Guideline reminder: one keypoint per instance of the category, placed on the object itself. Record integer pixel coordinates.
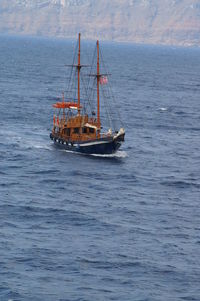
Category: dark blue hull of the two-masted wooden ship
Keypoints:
(107, 145)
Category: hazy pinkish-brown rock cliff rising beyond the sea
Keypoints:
(175, 22)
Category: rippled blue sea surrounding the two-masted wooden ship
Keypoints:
(124, 227)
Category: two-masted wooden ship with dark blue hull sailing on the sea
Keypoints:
(74, 129)
